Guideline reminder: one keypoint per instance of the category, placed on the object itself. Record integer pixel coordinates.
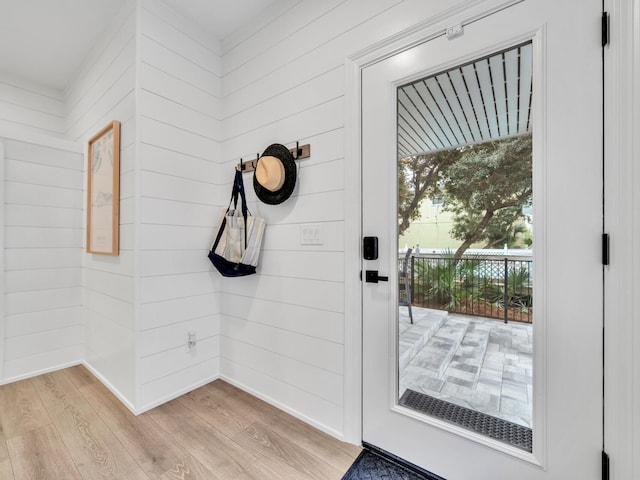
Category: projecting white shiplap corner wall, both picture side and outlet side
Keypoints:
(158, 75)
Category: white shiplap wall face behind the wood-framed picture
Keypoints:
(102, 91)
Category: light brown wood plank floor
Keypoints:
(67, 425)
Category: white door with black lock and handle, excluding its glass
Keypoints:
(566, 128)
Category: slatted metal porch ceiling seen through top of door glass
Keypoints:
(484, 100)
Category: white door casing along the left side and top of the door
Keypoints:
(433, 27)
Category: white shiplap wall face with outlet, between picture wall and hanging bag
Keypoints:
(179, 111)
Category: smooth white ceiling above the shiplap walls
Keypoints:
(45, 41)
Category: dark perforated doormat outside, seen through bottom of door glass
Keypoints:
(496, 428)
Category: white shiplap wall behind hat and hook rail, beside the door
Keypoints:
(283, 81)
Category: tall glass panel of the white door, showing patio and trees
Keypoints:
(465, 231)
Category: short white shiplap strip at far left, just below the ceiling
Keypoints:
(27, 107)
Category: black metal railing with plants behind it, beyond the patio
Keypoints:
(490, 286)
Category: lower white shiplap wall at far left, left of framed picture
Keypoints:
(42, 278)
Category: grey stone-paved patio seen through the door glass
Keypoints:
(474, 362)
